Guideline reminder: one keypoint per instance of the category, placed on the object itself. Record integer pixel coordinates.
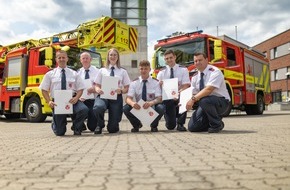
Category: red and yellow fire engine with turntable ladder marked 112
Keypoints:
(23, 64)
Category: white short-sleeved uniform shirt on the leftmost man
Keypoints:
(52, 81)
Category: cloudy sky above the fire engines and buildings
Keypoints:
(249, 21)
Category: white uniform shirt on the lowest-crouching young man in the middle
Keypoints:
(152, 88)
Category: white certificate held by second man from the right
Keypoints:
(170, 89)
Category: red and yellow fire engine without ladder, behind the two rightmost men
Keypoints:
(246, 71)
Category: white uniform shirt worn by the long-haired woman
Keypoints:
(121, 73)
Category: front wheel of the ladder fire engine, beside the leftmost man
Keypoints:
(33, 110)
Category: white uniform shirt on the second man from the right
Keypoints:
(179, 72)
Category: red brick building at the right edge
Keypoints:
(277, 49)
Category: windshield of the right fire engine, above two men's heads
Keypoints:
(184, 52)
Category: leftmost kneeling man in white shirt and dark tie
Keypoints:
(53, 81)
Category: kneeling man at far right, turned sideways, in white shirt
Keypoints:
(211, 95)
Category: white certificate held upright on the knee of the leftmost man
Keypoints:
(61, 99)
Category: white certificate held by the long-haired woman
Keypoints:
(109, 87)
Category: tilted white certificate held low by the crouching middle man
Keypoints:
(146, 116)
